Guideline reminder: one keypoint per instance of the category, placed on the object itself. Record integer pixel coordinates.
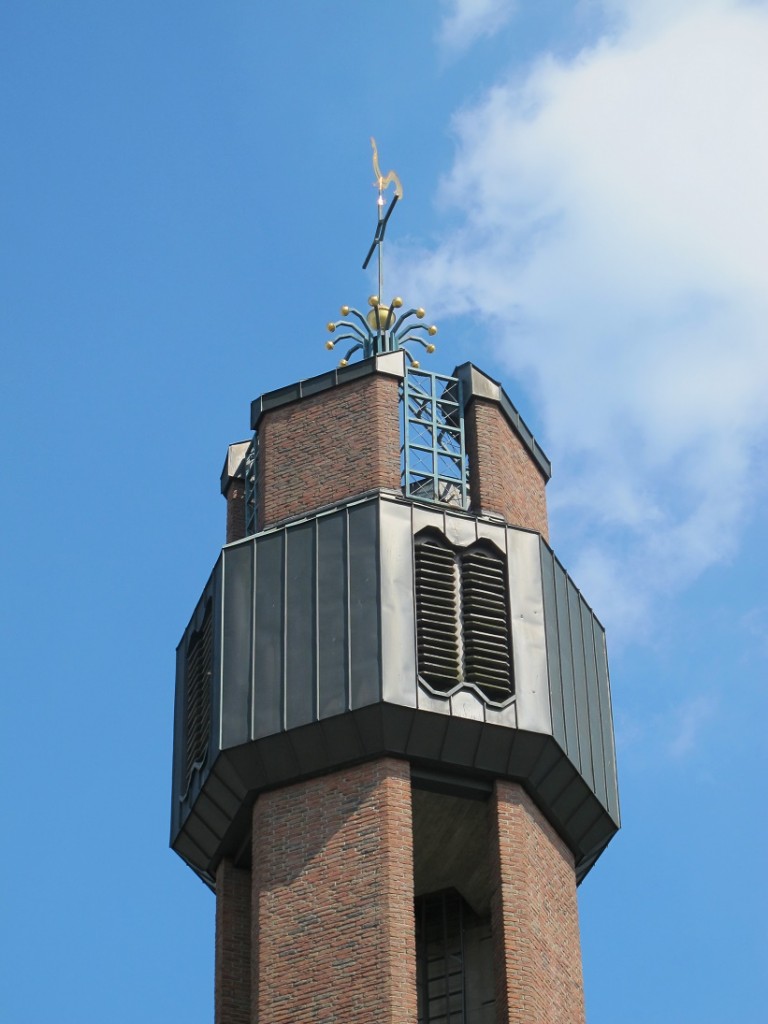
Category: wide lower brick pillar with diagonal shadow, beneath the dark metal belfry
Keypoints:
(334, 900)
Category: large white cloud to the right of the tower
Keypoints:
(615, 238)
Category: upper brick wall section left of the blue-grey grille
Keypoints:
(329, 447)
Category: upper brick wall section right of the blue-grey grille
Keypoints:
(504, 478)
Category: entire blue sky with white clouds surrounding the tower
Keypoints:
(186, 199)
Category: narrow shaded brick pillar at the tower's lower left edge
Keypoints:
(233, 971)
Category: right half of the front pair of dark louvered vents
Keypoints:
(488, 648)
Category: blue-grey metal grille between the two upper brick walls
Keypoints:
(435, 460)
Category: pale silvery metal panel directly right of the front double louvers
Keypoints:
(529, 641)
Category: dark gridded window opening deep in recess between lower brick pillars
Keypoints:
(440, 946)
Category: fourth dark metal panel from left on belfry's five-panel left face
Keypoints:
(332, 615)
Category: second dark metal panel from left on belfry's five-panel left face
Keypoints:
(269, 636)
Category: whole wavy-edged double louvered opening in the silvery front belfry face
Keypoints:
(462, 617)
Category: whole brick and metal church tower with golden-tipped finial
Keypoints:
(394, 747)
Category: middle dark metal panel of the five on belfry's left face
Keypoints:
(301, 625)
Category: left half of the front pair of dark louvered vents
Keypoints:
(437, 615)
